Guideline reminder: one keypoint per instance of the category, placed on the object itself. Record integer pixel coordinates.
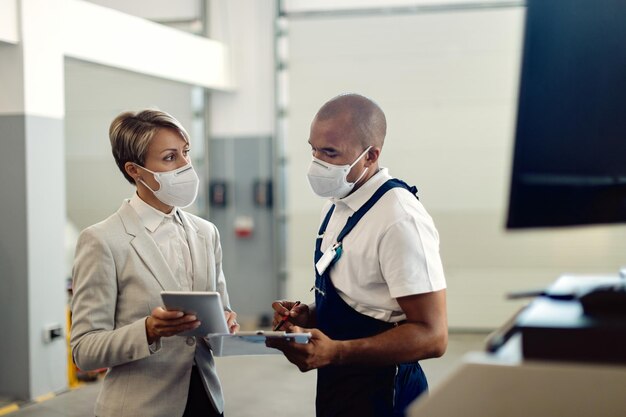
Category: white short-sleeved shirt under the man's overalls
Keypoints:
(392, 252)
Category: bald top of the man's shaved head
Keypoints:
(359, 115)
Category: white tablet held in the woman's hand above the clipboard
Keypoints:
(207, 306)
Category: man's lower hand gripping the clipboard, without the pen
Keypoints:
(320, 351)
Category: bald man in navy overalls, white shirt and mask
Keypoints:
(380, 301)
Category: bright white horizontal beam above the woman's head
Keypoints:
(108, 37)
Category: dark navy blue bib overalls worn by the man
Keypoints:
(357, 390)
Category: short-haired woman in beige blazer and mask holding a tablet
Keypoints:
(124, 262)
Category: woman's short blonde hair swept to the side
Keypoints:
(130, 134)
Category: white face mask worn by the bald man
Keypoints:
(328, 180)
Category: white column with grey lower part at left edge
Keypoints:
(32, 284)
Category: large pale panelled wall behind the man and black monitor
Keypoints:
(448, 83)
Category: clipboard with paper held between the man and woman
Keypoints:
(250, 342)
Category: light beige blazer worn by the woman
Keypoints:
(118, 276)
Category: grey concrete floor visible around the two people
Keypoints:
(257, 385)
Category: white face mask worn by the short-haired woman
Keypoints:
(177, 188)
